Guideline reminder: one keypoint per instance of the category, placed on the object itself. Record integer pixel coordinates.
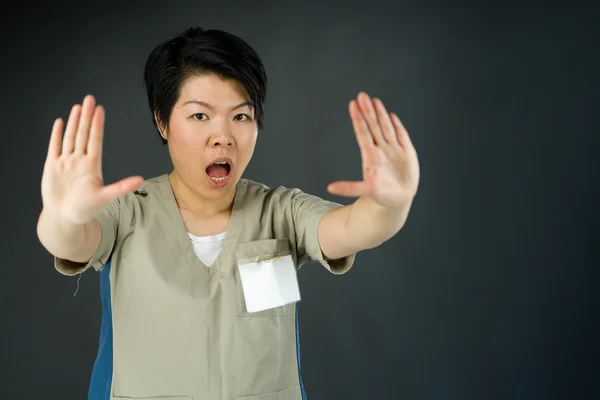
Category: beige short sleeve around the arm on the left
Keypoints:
(109, 222)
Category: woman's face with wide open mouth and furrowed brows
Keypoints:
(211, 135)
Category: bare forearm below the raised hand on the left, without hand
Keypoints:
(68, 241)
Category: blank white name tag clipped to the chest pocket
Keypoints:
(269, 283)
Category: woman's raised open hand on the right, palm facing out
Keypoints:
(389, 161)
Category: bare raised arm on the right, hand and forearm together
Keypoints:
(385, 196)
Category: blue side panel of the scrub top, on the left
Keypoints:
(101, 379)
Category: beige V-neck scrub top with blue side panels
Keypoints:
(173, 328)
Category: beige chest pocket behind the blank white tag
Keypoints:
(261, 249)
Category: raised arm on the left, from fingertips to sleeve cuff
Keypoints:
(80, 214)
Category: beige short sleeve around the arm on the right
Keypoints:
(308, 211)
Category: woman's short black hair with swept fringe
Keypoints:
(198, 51)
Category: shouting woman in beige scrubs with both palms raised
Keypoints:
(198, 267)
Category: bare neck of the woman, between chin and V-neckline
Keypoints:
(189, 199)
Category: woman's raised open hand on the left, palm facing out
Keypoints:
(73, 190)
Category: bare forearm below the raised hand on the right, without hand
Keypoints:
(359, 226)
